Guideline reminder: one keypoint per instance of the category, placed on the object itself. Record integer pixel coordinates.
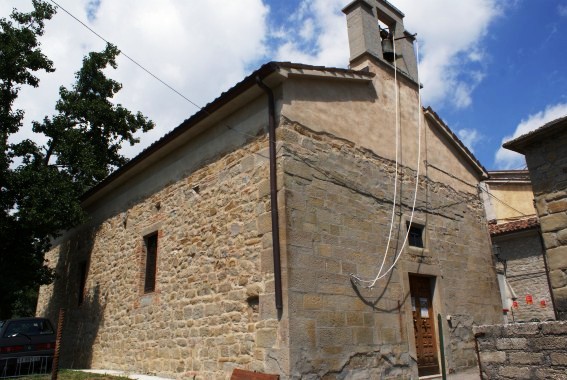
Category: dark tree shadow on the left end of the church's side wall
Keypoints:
(84, 306)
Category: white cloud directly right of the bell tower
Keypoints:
(450, 34)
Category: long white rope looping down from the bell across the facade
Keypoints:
(381, 275)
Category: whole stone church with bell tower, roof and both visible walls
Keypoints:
(311, 222)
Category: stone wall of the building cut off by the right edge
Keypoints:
(547, 163)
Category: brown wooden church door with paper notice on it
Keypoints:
(424, 325)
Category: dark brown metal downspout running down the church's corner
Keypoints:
(273, 193)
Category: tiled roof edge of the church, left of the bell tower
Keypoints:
(226, 97)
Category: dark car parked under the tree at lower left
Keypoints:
(27, 346)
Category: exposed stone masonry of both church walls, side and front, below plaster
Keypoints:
(213, 307)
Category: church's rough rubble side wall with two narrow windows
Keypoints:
(212, 309)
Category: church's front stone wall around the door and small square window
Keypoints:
(338, 210)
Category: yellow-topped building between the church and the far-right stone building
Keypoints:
(517, 246)
